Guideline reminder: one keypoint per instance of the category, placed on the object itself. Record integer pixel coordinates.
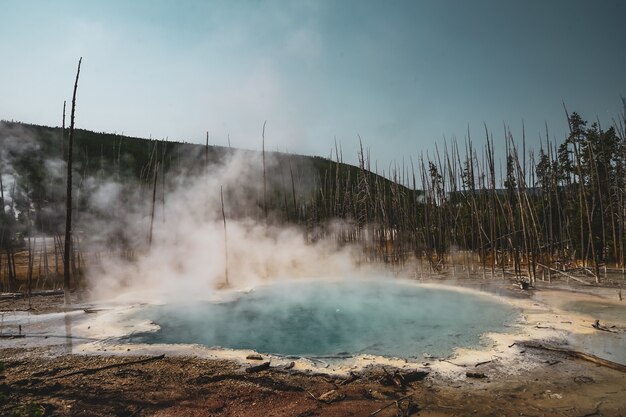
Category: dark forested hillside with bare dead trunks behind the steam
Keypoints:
(550, 211)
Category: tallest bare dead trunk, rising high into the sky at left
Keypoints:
(68, 212)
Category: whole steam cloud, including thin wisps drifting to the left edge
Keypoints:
(164, 234)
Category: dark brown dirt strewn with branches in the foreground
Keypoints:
(41, 380)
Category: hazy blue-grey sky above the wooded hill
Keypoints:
(404, 76)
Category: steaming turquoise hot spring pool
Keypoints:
(380, 317)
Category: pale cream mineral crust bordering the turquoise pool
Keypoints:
(542, 318)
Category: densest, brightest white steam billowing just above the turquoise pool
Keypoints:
(187, 255)
